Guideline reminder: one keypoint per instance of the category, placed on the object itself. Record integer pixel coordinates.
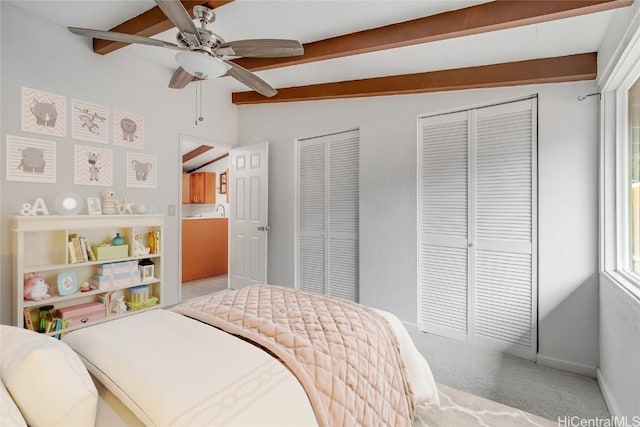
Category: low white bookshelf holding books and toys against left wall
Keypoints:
(39, 245)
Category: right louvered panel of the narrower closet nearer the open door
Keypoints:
(343, 215)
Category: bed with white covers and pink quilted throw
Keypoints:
(243, 357)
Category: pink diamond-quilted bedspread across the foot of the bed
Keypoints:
(345, 356)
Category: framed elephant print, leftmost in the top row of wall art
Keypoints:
(43, 112)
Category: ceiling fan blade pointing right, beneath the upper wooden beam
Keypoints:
(262, 48)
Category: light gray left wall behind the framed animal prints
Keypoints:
(45, 56)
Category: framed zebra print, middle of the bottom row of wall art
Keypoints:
(93, 166)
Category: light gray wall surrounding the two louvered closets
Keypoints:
(568, 137)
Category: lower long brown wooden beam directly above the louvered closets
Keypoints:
(547, 70)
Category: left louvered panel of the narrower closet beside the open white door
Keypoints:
(310, 253)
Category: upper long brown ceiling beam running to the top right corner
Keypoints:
(491, 16)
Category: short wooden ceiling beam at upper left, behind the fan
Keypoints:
(149, 24)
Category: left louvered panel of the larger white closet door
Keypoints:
(442, 224)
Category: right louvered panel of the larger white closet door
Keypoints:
(505, 256)
